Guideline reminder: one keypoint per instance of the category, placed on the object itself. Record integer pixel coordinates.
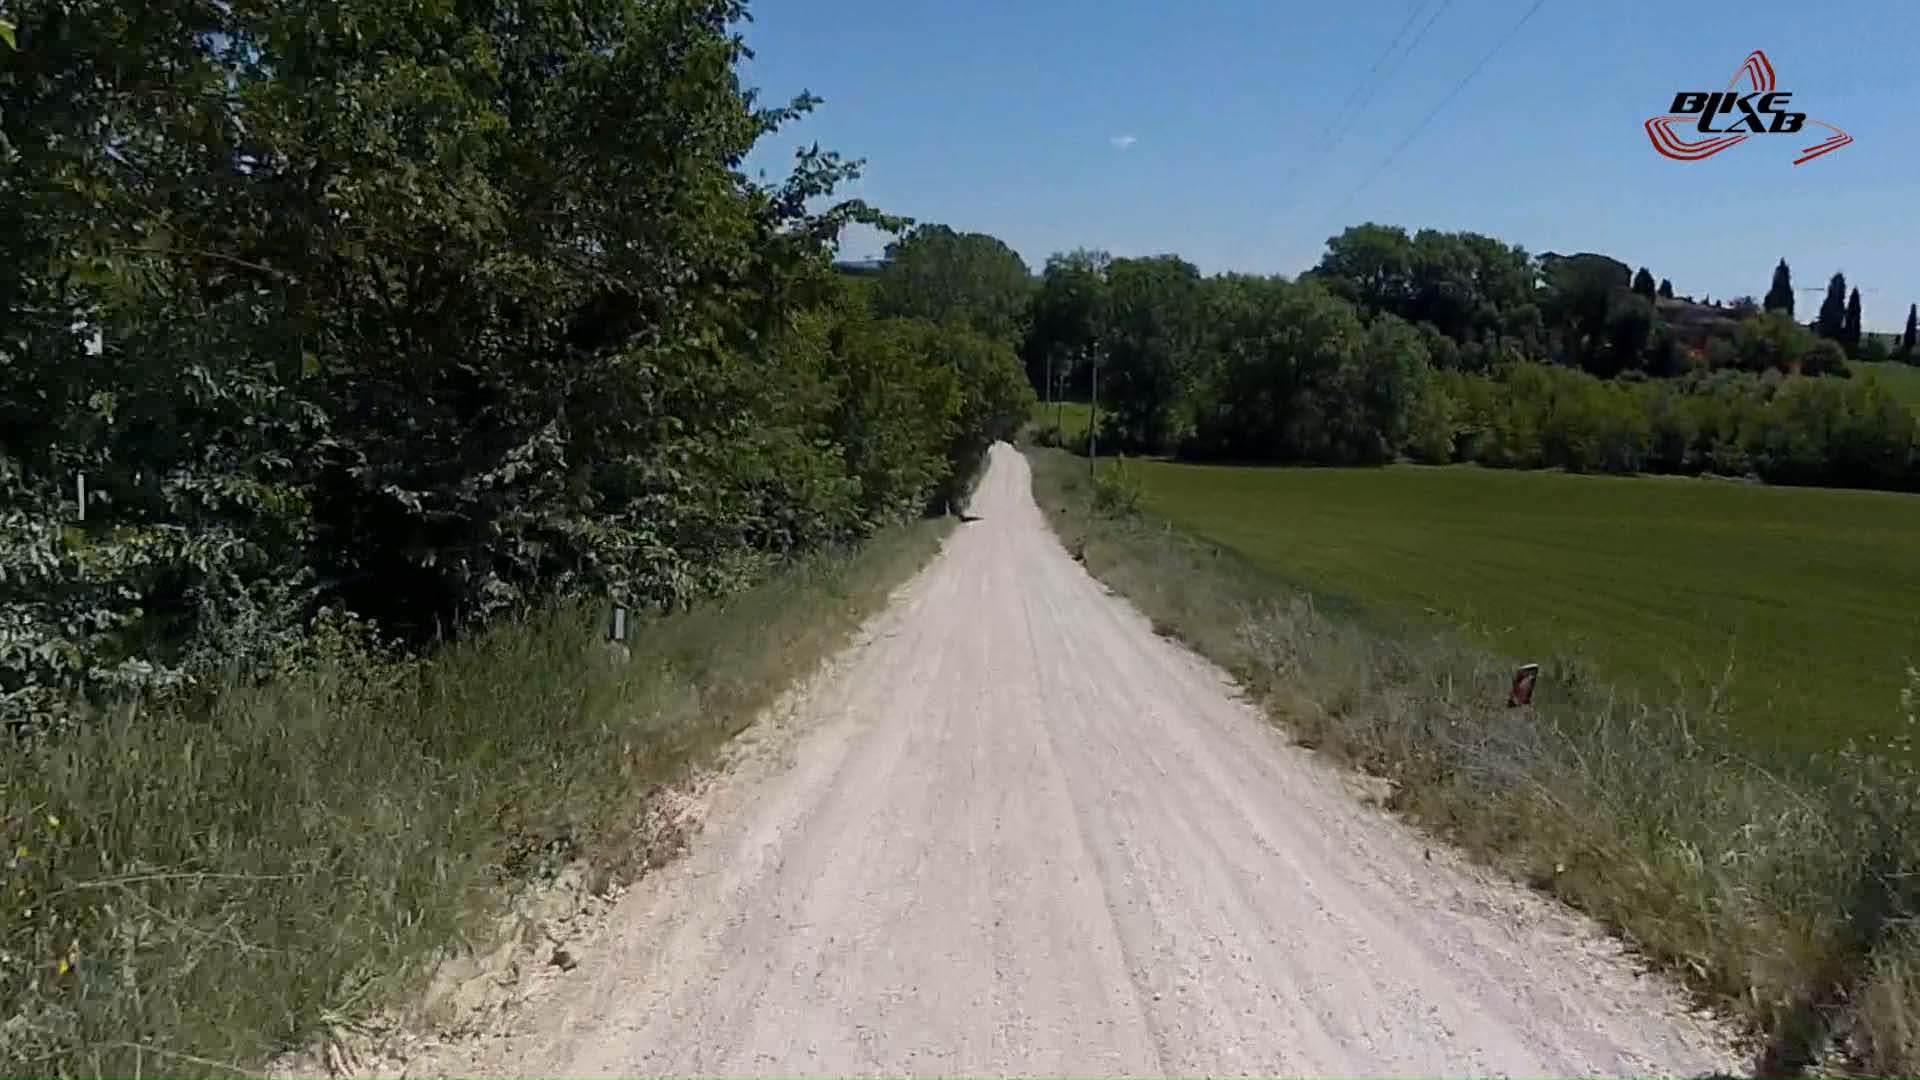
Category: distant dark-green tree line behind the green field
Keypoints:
(1452, 347)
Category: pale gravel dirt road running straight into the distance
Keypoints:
(1013, 831)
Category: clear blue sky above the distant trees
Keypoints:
(1197, 128)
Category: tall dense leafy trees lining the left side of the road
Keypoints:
(406, 316)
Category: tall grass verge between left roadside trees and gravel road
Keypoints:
(193, 891)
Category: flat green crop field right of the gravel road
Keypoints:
(1813, 597)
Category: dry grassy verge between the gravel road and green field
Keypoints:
(1785, 896)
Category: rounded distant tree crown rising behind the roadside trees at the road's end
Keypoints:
(967, 280)
